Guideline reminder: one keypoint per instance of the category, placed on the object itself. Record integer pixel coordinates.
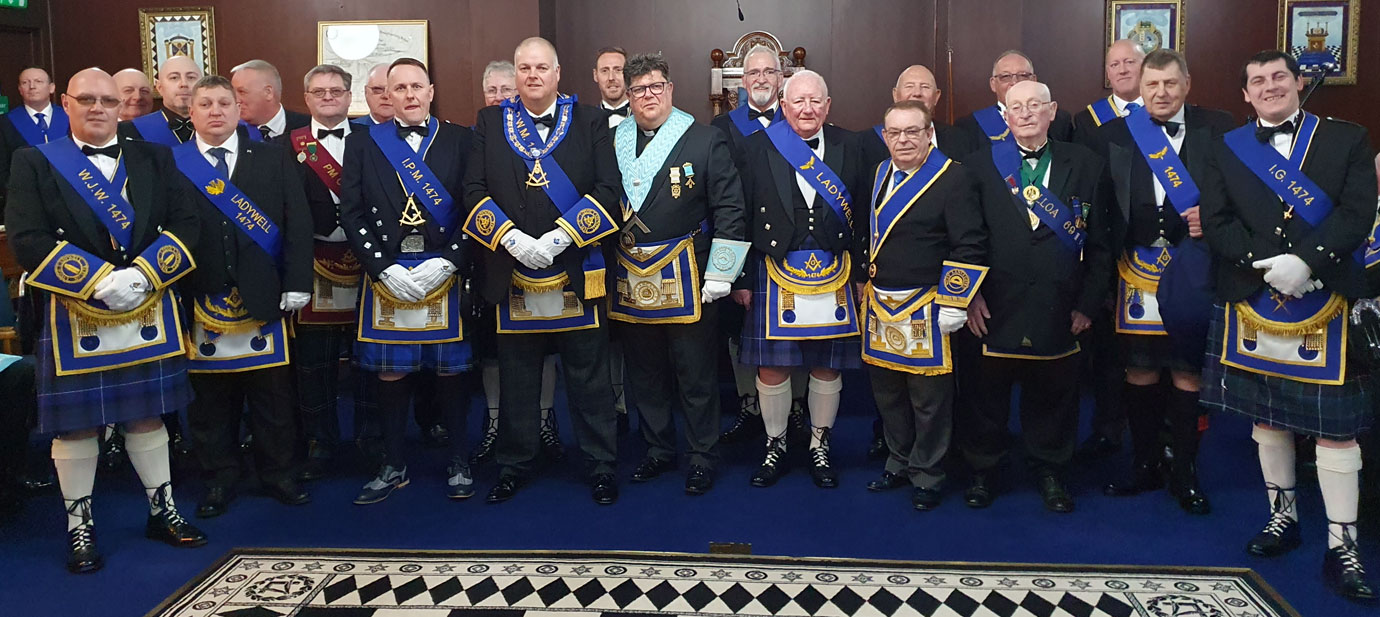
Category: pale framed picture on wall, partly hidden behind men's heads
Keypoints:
(362, 45)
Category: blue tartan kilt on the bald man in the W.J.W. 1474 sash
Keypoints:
(111, 397)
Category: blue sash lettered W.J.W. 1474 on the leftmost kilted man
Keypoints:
(101, 195)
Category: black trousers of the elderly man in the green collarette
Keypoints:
(1048, 412)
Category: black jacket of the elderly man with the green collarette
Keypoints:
(1036, 282)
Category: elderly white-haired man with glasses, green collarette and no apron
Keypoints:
(1043, 204)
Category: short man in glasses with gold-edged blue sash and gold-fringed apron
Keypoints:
(921, 242)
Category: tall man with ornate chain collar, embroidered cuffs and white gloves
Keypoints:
(542, 197)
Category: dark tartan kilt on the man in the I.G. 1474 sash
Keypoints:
(1328, 412)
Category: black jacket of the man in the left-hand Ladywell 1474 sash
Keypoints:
(228, 257)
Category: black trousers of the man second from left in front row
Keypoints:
(215, 419)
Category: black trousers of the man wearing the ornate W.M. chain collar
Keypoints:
(584, 357)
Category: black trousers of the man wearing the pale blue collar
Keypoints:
(676, 364)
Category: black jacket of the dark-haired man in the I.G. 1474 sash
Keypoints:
(1241, 215)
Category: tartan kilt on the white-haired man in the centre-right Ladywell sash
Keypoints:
(756, 350)
